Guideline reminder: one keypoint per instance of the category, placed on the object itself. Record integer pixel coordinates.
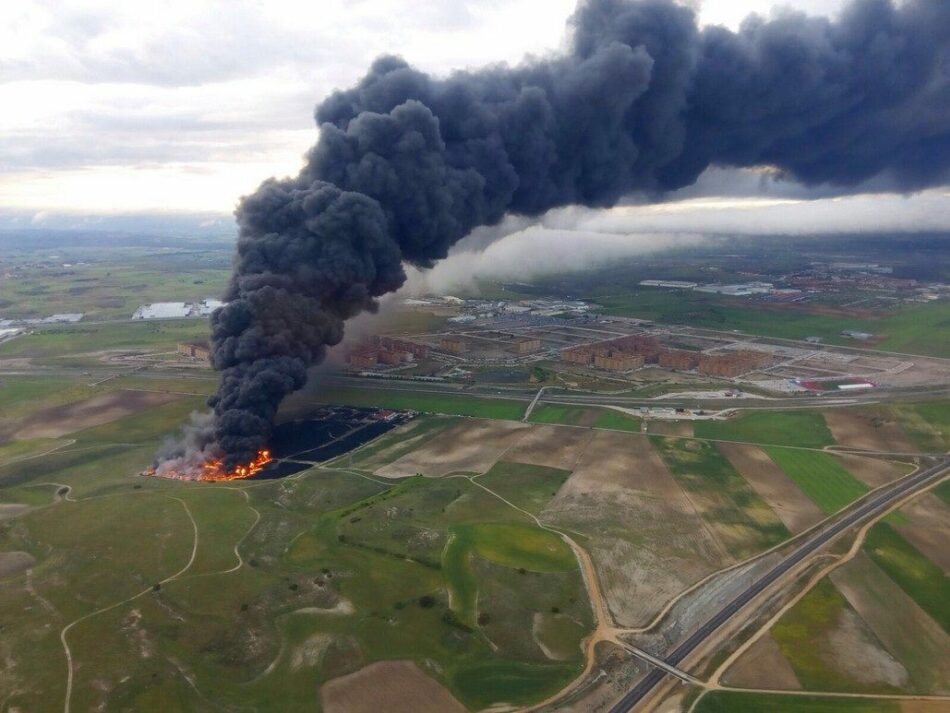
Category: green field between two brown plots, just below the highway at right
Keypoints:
(780, 428)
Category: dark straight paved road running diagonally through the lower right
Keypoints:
(875, 505)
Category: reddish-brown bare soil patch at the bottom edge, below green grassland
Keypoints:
(391, 686)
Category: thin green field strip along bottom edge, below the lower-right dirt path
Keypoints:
(733, 702)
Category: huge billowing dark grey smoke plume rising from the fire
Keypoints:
(642, 102)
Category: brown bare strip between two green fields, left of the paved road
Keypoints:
(795, 509)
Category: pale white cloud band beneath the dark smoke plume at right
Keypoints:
(576, 239)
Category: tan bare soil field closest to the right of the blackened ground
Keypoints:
(472, 446)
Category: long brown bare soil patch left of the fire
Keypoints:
(62, 420)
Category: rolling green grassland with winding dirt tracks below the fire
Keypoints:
(242, 626)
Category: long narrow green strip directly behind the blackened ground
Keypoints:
(450, 404)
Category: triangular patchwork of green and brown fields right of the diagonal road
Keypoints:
(875, 624)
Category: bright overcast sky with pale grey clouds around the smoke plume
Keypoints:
(180, 107)
